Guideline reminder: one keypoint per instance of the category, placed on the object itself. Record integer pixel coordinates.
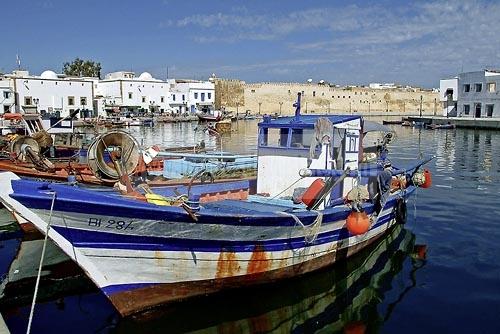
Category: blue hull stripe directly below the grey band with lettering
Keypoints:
(106, 240)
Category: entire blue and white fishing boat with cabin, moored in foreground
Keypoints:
(320, 201)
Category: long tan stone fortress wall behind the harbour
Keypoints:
(271, 98)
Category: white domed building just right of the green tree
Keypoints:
(123, 91)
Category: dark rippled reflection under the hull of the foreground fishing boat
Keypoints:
(344, 297)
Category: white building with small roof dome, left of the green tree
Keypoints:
(50, 93)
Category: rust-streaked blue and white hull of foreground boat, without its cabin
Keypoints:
(142, 262)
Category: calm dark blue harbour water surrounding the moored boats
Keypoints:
(387, 288)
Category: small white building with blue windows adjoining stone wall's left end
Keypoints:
(191, 96)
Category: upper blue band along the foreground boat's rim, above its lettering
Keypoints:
(228, 212)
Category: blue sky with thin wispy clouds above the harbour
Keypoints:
(352, 42)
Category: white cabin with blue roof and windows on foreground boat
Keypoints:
(288, 144)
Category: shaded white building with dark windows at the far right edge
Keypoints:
(478, 94)
